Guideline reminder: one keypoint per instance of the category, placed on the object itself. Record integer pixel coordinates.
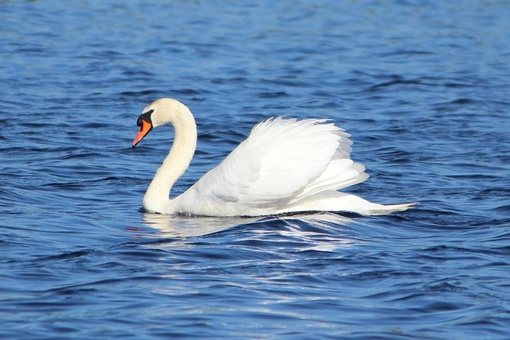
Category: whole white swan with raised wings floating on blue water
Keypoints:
(284, 166)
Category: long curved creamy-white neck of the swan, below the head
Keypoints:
(156, 198)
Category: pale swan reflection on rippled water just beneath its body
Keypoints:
(193, 226)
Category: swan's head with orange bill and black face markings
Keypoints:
(160, 112)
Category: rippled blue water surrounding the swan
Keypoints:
(423, 87)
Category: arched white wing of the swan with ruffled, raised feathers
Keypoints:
(280, 163)
